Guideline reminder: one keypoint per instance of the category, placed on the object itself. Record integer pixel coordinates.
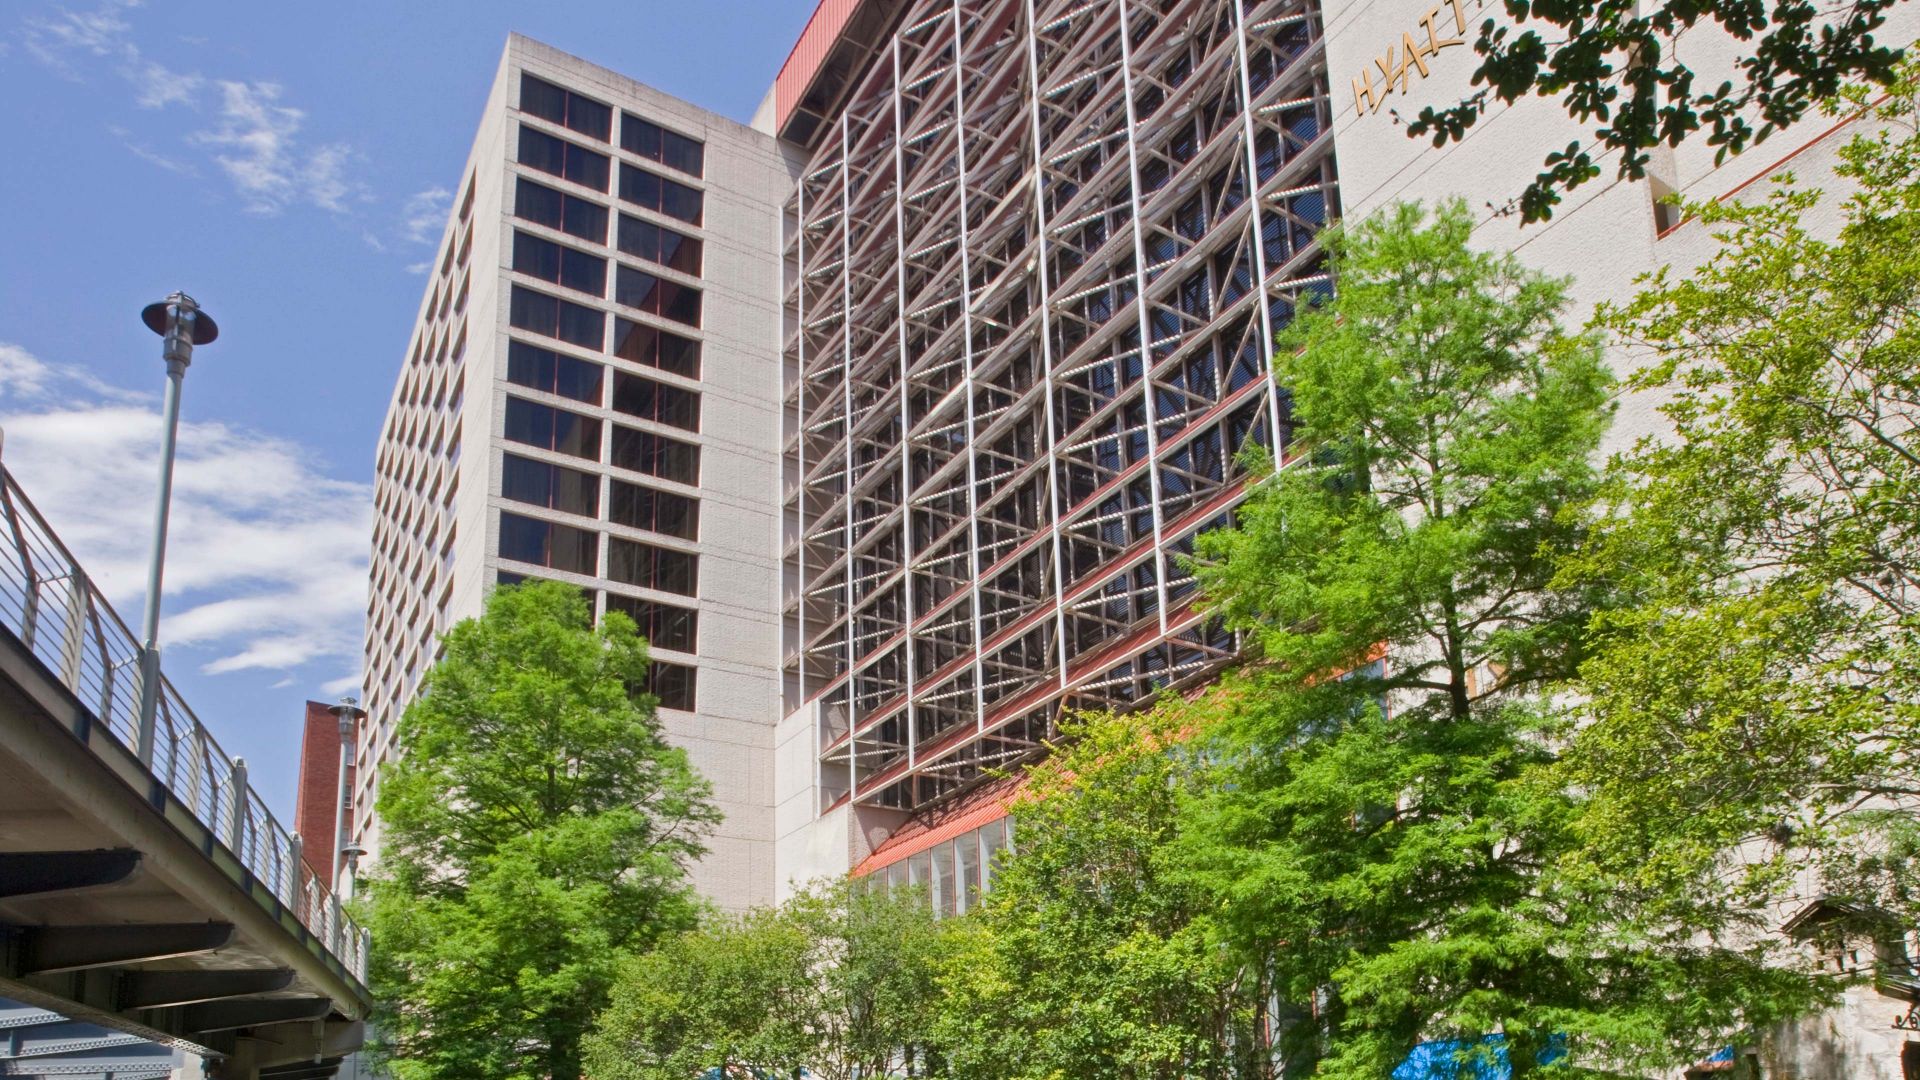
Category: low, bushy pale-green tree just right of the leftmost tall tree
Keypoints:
(838, 981)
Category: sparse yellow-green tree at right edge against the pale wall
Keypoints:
(1756, 710)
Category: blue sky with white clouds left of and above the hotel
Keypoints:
(287, 164)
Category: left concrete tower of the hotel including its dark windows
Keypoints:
(588, 397)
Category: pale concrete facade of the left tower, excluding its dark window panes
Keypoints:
(443, 485)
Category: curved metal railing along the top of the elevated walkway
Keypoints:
(59, 614)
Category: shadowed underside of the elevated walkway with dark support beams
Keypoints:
(126, 918)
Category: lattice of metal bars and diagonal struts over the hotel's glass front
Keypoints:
(1026, 347)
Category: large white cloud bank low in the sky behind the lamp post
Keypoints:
(266, 556)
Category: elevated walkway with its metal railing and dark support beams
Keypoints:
(145, 891)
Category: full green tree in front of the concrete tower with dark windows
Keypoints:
(537, 831)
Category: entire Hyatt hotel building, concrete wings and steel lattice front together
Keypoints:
(900, 462)
